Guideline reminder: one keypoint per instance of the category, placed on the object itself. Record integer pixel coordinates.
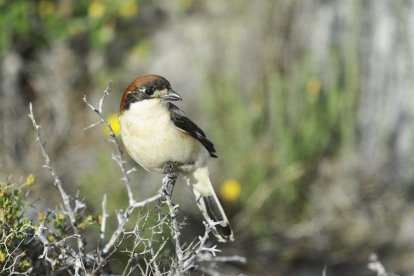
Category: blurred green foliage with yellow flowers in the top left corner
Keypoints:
(37, 24)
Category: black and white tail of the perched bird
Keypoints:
(209, 204)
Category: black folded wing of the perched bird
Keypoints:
(186, 125)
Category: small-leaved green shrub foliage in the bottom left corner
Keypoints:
(20, 248)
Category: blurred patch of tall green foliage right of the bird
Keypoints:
(273, 136)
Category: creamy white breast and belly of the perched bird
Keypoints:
(152, 139)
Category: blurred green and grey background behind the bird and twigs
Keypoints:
(309, 103)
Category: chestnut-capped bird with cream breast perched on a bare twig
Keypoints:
(155, 132)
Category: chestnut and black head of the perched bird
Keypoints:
(145, 88)
